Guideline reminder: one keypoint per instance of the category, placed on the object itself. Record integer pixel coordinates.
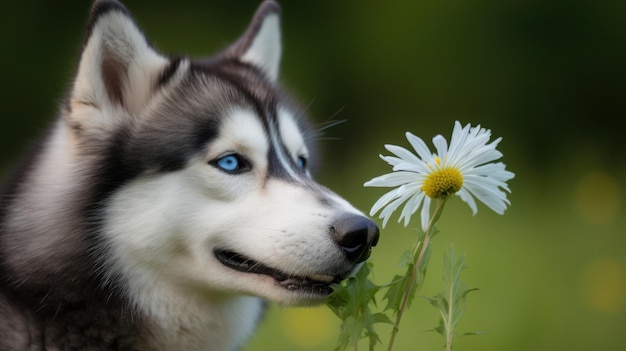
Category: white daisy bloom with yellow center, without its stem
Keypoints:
(464, 168)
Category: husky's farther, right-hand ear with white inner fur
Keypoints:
(261, 43)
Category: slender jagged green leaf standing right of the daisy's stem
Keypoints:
(450, 302)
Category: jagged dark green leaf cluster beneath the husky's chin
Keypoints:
(351, 302)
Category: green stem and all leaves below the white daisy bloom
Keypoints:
(352, 300)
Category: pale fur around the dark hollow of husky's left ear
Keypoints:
(114, 34)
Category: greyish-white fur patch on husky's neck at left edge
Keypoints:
(38, 209)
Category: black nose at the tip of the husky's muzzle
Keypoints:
(356, 235)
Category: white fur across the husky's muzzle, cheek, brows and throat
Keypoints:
(178, 219)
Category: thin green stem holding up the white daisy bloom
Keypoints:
(421, 246)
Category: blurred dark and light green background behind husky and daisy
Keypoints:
(549, 76)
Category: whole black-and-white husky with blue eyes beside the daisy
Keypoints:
(169, 201)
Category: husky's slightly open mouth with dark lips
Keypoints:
(317, 284)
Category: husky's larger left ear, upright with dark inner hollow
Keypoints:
(118, 68)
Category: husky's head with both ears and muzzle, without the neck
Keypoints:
(208, 187)
